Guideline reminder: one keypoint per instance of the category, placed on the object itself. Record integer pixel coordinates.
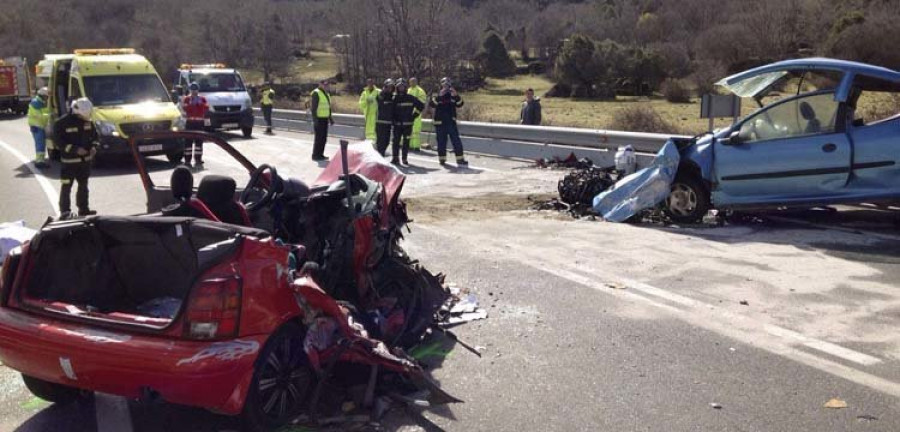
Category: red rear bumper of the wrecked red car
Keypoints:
(212, 375)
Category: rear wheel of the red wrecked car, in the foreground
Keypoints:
(283, 381)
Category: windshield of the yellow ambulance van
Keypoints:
(124, 89)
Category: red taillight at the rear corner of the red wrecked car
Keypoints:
(214, 309)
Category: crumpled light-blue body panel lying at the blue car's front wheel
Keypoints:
(641, 190)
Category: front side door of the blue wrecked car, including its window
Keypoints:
(793, 151)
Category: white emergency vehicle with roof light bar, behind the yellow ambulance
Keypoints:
(230, 107)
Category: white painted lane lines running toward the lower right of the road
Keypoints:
(780, 341)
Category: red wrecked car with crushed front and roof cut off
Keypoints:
(235, 300)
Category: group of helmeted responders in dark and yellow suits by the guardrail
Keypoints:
(394, 115)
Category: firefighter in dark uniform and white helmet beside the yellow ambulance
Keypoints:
(77, 140)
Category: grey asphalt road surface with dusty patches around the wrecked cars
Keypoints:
(592, 326)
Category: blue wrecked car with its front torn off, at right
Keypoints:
(807, 145)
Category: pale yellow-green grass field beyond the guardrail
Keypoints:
(501, 99)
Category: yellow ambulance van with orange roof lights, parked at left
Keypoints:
(128, 96)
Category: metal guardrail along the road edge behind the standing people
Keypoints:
(560, 136)
